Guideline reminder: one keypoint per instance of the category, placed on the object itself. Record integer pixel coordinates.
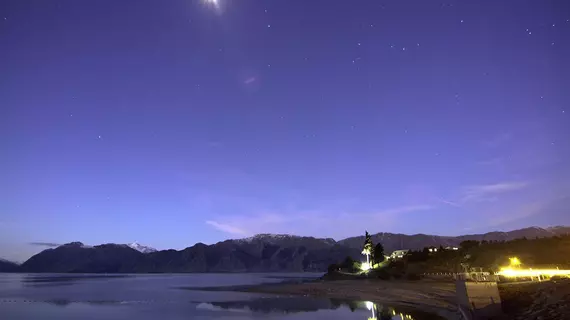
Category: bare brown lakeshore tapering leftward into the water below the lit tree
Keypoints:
(433, 297)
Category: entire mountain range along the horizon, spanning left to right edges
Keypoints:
(260, 253)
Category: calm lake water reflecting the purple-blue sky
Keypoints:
(146, 297)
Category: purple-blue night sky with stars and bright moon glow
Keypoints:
(176, 122)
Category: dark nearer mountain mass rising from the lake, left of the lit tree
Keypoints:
(262, 253)
